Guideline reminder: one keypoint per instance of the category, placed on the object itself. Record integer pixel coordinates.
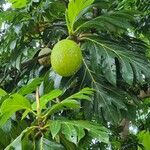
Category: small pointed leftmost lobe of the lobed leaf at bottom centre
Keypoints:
(55, 127)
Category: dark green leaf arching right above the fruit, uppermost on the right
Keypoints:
(108, 22)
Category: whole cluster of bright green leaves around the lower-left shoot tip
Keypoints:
(68, 131)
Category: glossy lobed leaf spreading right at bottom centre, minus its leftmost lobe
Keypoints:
(74, 131)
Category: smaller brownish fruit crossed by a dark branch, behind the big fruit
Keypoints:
(45, 61)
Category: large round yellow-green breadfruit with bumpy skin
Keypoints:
(66, 58)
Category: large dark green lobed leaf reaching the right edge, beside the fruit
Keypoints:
(133, 64)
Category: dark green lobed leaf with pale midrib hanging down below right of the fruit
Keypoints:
(109, 100)
